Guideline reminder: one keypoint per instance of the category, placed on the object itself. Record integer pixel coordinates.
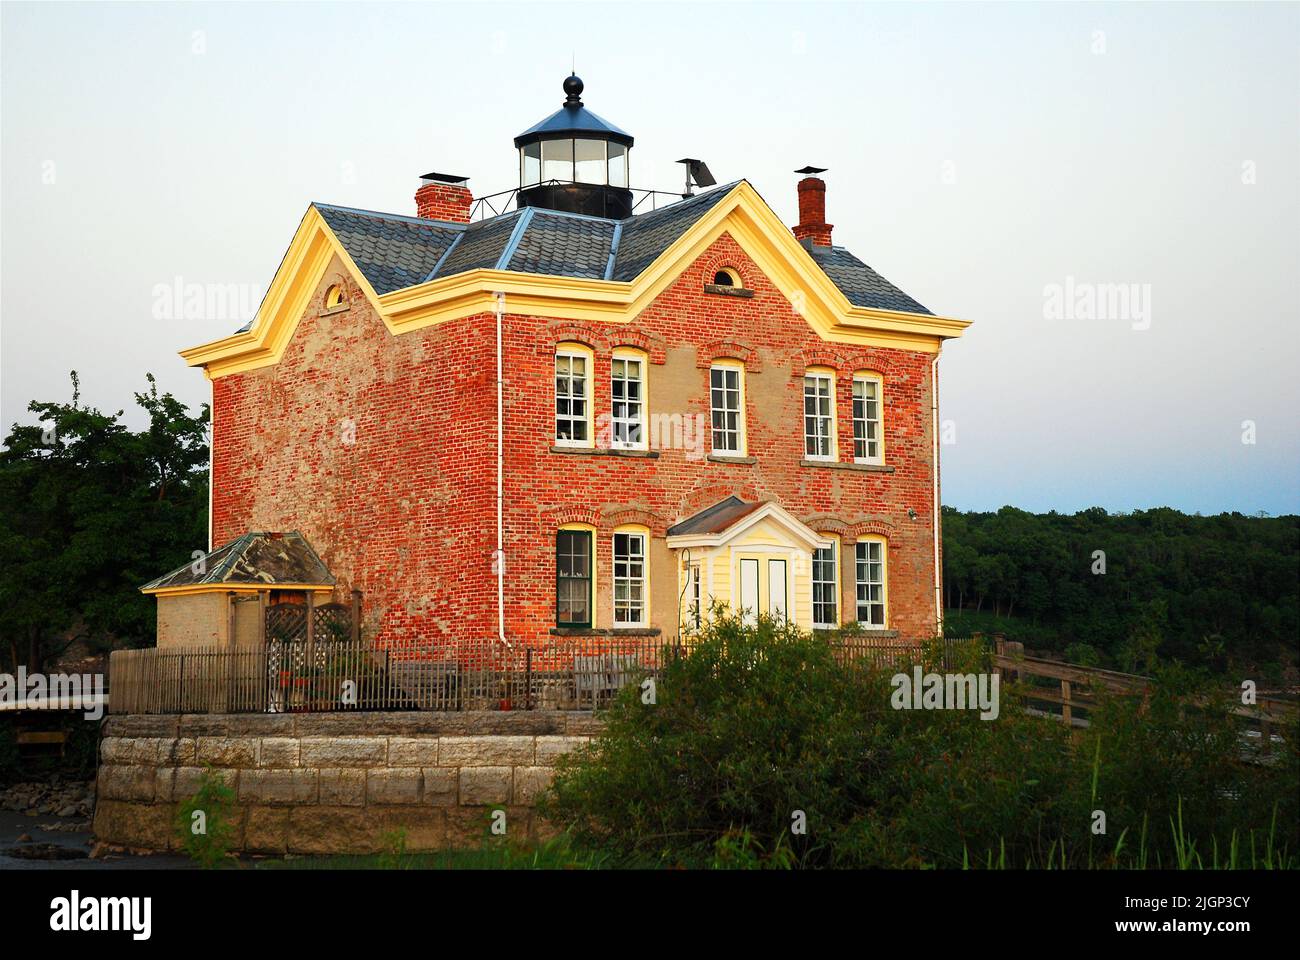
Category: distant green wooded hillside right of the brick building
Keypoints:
(1120, 590)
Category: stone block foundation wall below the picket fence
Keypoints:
(335, 784)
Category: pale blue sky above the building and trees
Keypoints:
(977, 154)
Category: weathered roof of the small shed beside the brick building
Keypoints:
(255, 559)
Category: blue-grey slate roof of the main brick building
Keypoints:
(396, 252)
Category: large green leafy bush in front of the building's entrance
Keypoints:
(760, 730)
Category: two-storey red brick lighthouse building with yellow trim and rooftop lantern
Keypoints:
(586, 417)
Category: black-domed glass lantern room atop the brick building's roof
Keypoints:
(575, 162)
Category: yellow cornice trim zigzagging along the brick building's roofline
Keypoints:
(743, 214)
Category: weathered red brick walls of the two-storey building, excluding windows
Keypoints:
(382, 451)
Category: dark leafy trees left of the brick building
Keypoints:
(89, 512)
